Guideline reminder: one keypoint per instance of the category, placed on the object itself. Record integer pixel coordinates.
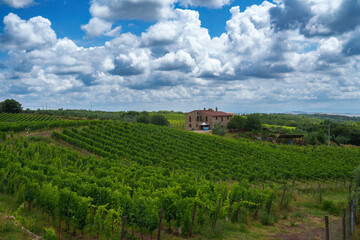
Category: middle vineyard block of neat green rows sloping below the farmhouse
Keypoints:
(212, 157)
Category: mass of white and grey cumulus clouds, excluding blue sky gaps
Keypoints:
(176, 60)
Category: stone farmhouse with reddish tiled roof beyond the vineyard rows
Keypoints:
(205, 119)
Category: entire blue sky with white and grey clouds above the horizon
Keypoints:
(237, 55)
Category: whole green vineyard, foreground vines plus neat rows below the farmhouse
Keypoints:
(137, 172)
